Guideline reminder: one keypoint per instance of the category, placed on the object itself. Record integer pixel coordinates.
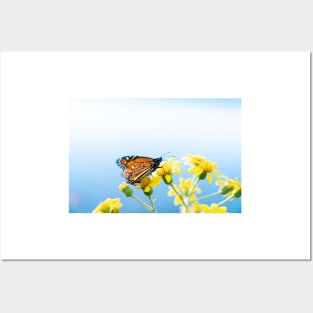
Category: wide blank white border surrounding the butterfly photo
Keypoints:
(274, 88)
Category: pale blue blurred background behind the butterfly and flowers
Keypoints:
(101, 131)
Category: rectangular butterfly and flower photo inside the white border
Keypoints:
(104, 132)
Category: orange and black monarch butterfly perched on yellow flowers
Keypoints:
(135, 168)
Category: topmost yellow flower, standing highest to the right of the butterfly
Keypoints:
(200, 166)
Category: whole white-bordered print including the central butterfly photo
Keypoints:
(154, 136)
